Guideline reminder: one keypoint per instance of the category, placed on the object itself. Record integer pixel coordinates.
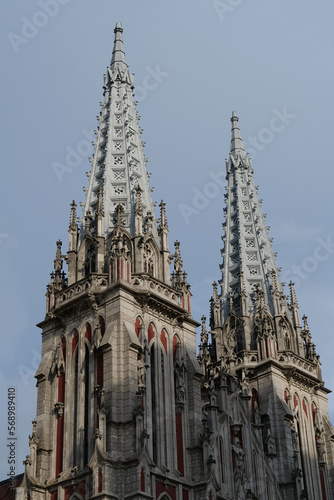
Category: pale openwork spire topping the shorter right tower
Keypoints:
(247, 247)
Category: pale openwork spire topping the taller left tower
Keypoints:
(118, 163)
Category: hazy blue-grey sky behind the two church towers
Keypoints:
(195, 61)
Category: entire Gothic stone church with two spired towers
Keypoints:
(128, 408)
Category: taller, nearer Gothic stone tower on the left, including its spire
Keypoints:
(119, 380)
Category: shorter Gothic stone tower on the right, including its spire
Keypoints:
(279, 420)
